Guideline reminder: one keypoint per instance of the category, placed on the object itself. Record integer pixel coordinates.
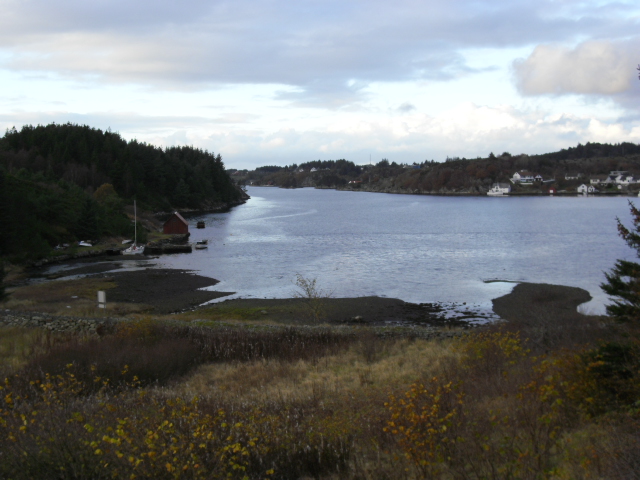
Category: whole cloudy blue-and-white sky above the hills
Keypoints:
(277, 82)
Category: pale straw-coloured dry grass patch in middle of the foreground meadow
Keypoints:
(367, 365)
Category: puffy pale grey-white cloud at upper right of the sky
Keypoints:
(593, 68)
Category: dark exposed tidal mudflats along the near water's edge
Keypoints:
(168, 291)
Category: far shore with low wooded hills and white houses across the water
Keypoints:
(592, 168)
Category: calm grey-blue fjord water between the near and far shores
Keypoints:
(416, 248)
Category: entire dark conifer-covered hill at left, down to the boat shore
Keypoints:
(63, 183)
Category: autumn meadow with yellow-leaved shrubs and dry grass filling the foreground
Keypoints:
(158, 400)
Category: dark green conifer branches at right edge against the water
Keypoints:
(623, 281)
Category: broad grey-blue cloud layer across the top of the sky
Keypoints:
(321, 47)
